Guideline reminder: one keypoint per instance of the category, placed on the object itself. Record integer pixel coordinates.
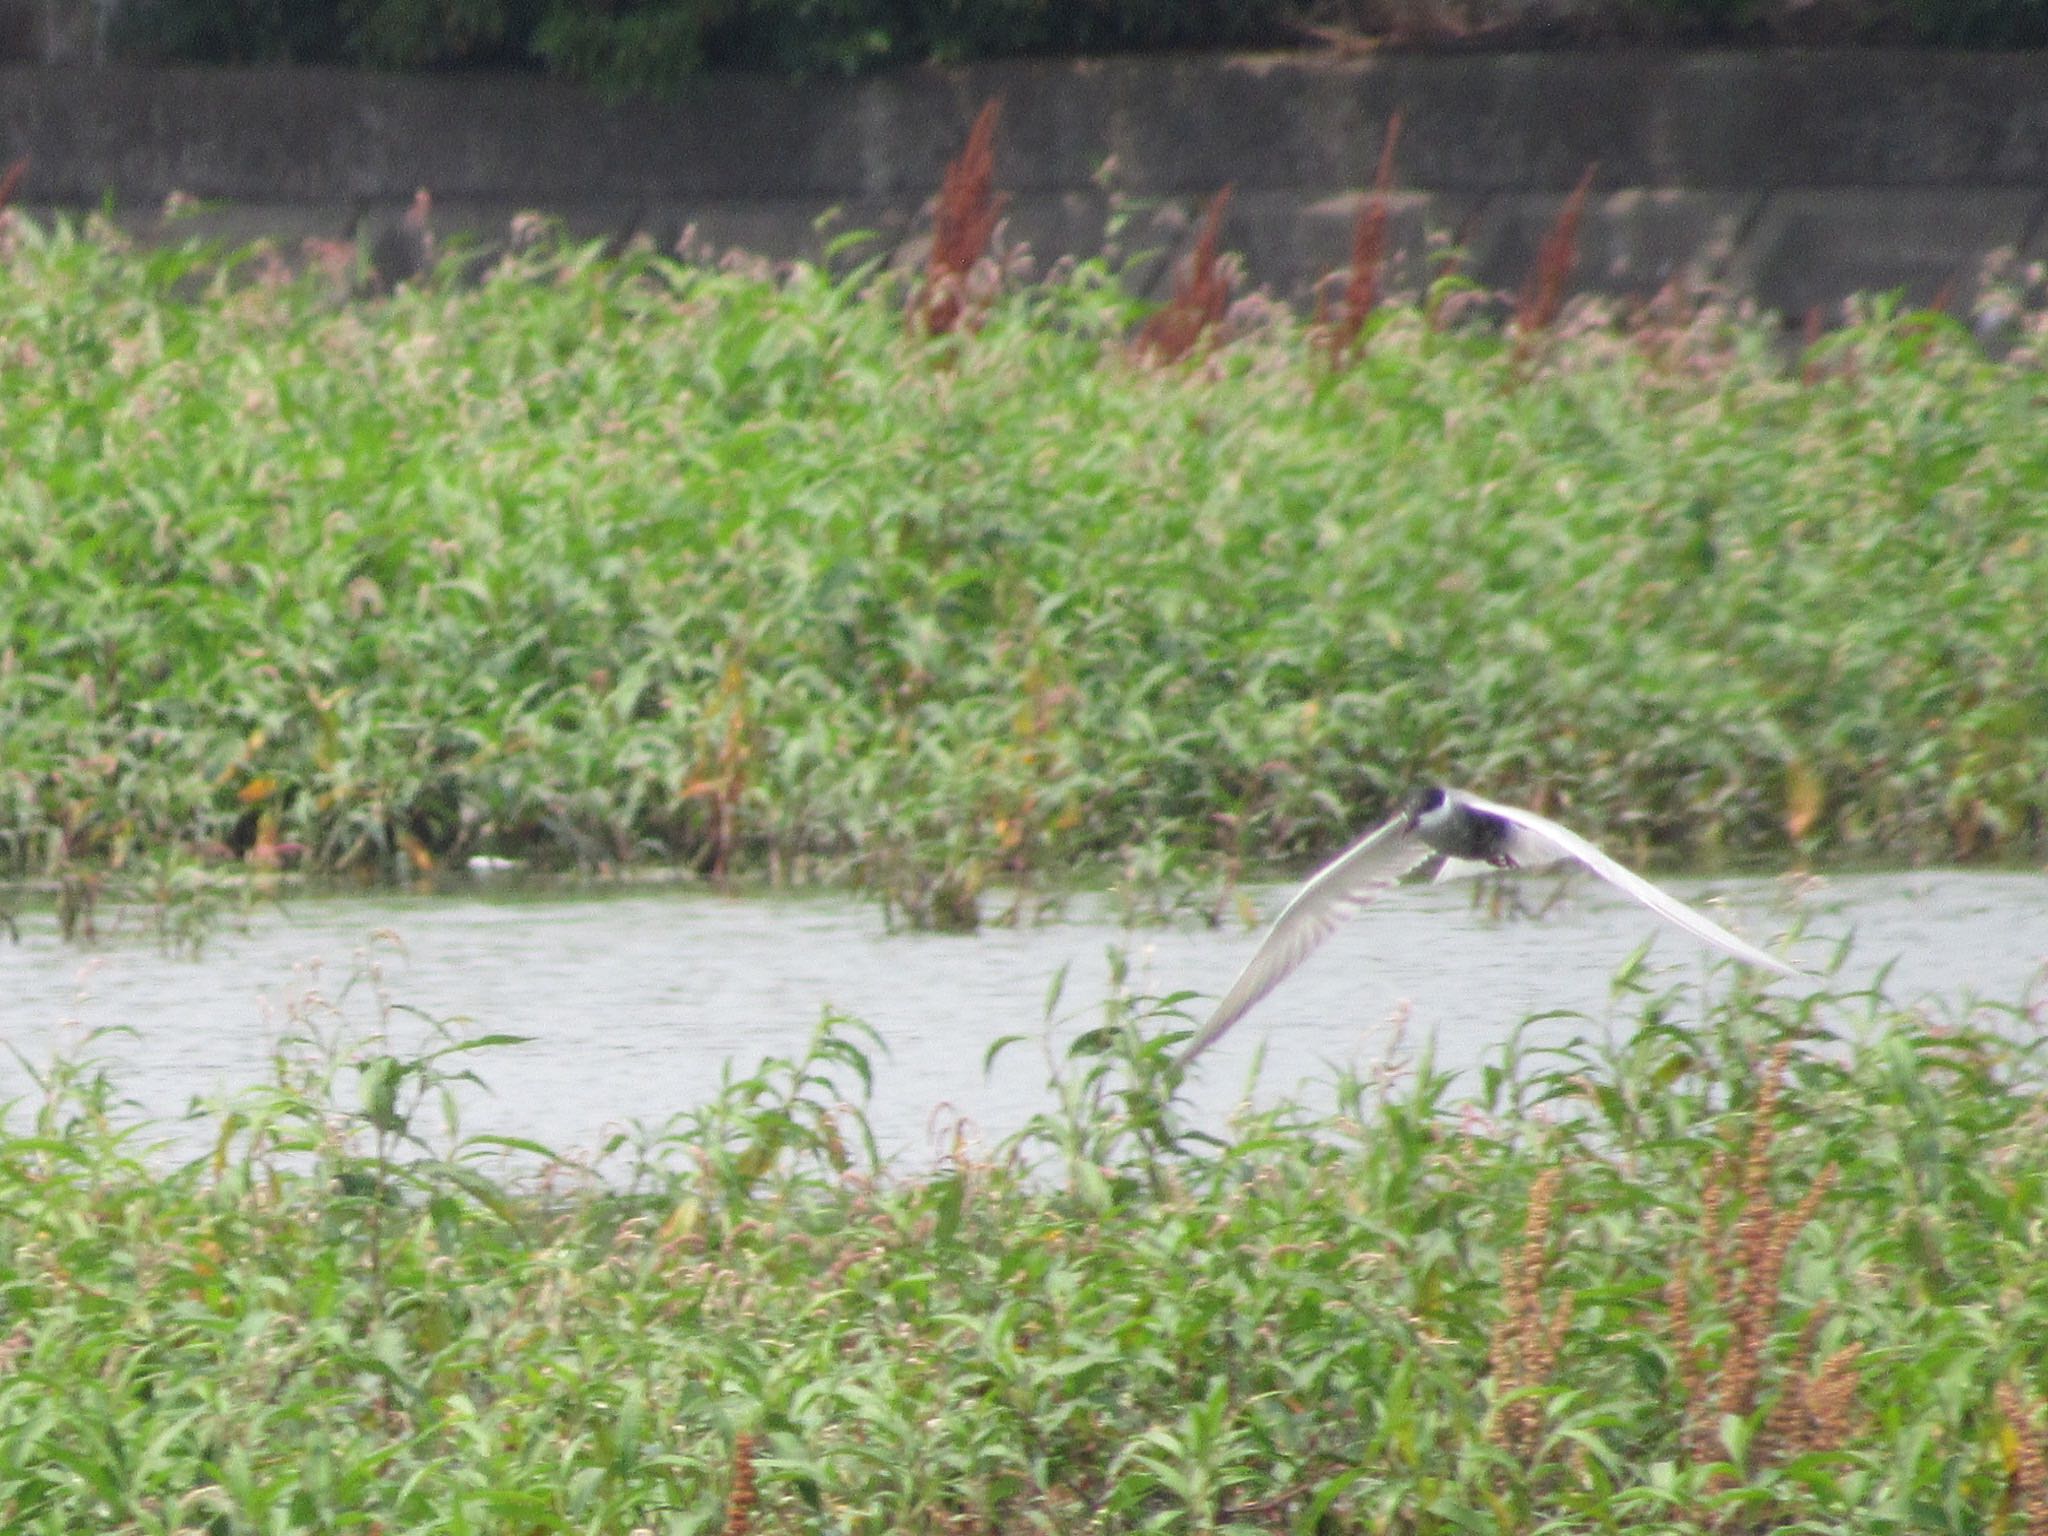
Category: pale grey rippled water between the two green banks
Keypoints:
(638, 1000)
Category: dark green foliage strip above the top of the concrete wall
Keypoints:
(658, 44)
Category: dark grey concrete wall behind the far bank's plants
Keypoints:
(1797, 177)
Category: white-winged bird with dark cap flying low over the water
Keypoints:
(1467, 835)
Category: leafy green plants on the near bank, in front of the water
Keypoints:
(1719, 1279)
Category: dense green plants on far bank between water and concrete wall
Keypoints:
(632, 562)
